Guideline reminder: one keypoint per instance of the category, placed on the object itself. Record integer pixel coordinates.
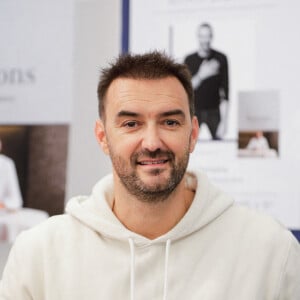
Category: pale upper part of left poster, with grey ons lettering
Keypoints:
(36, 61)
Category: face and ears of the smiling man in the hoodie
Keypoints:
(148, 133)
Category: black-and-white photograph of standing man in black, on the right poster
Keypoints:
(215, 62)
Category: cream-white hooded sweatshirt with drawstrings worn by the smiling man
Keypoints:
(218, 251)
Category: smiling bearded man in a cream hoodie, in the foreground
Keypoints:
(151, 230)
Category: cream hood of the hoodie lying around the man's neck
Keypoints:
(95, 211)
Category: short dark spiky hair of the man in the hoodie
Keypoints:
(152, 65)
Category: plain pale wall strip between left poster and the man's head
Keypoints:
(97, 41)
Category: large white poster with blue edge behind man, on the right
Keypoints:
(257, 159)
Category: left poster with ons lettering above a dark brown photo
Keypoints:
(36, 69)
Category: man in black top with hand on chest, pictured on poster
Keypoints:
(209, 69)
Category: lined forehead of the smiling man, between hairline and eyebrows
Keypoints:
(128, 93)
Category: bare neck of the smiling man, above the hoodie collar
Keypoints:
(151, 220)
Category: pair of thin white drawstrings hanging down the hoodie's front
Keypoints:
(132, 269)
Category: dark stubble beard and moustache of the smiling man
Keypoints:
(158, 191)
